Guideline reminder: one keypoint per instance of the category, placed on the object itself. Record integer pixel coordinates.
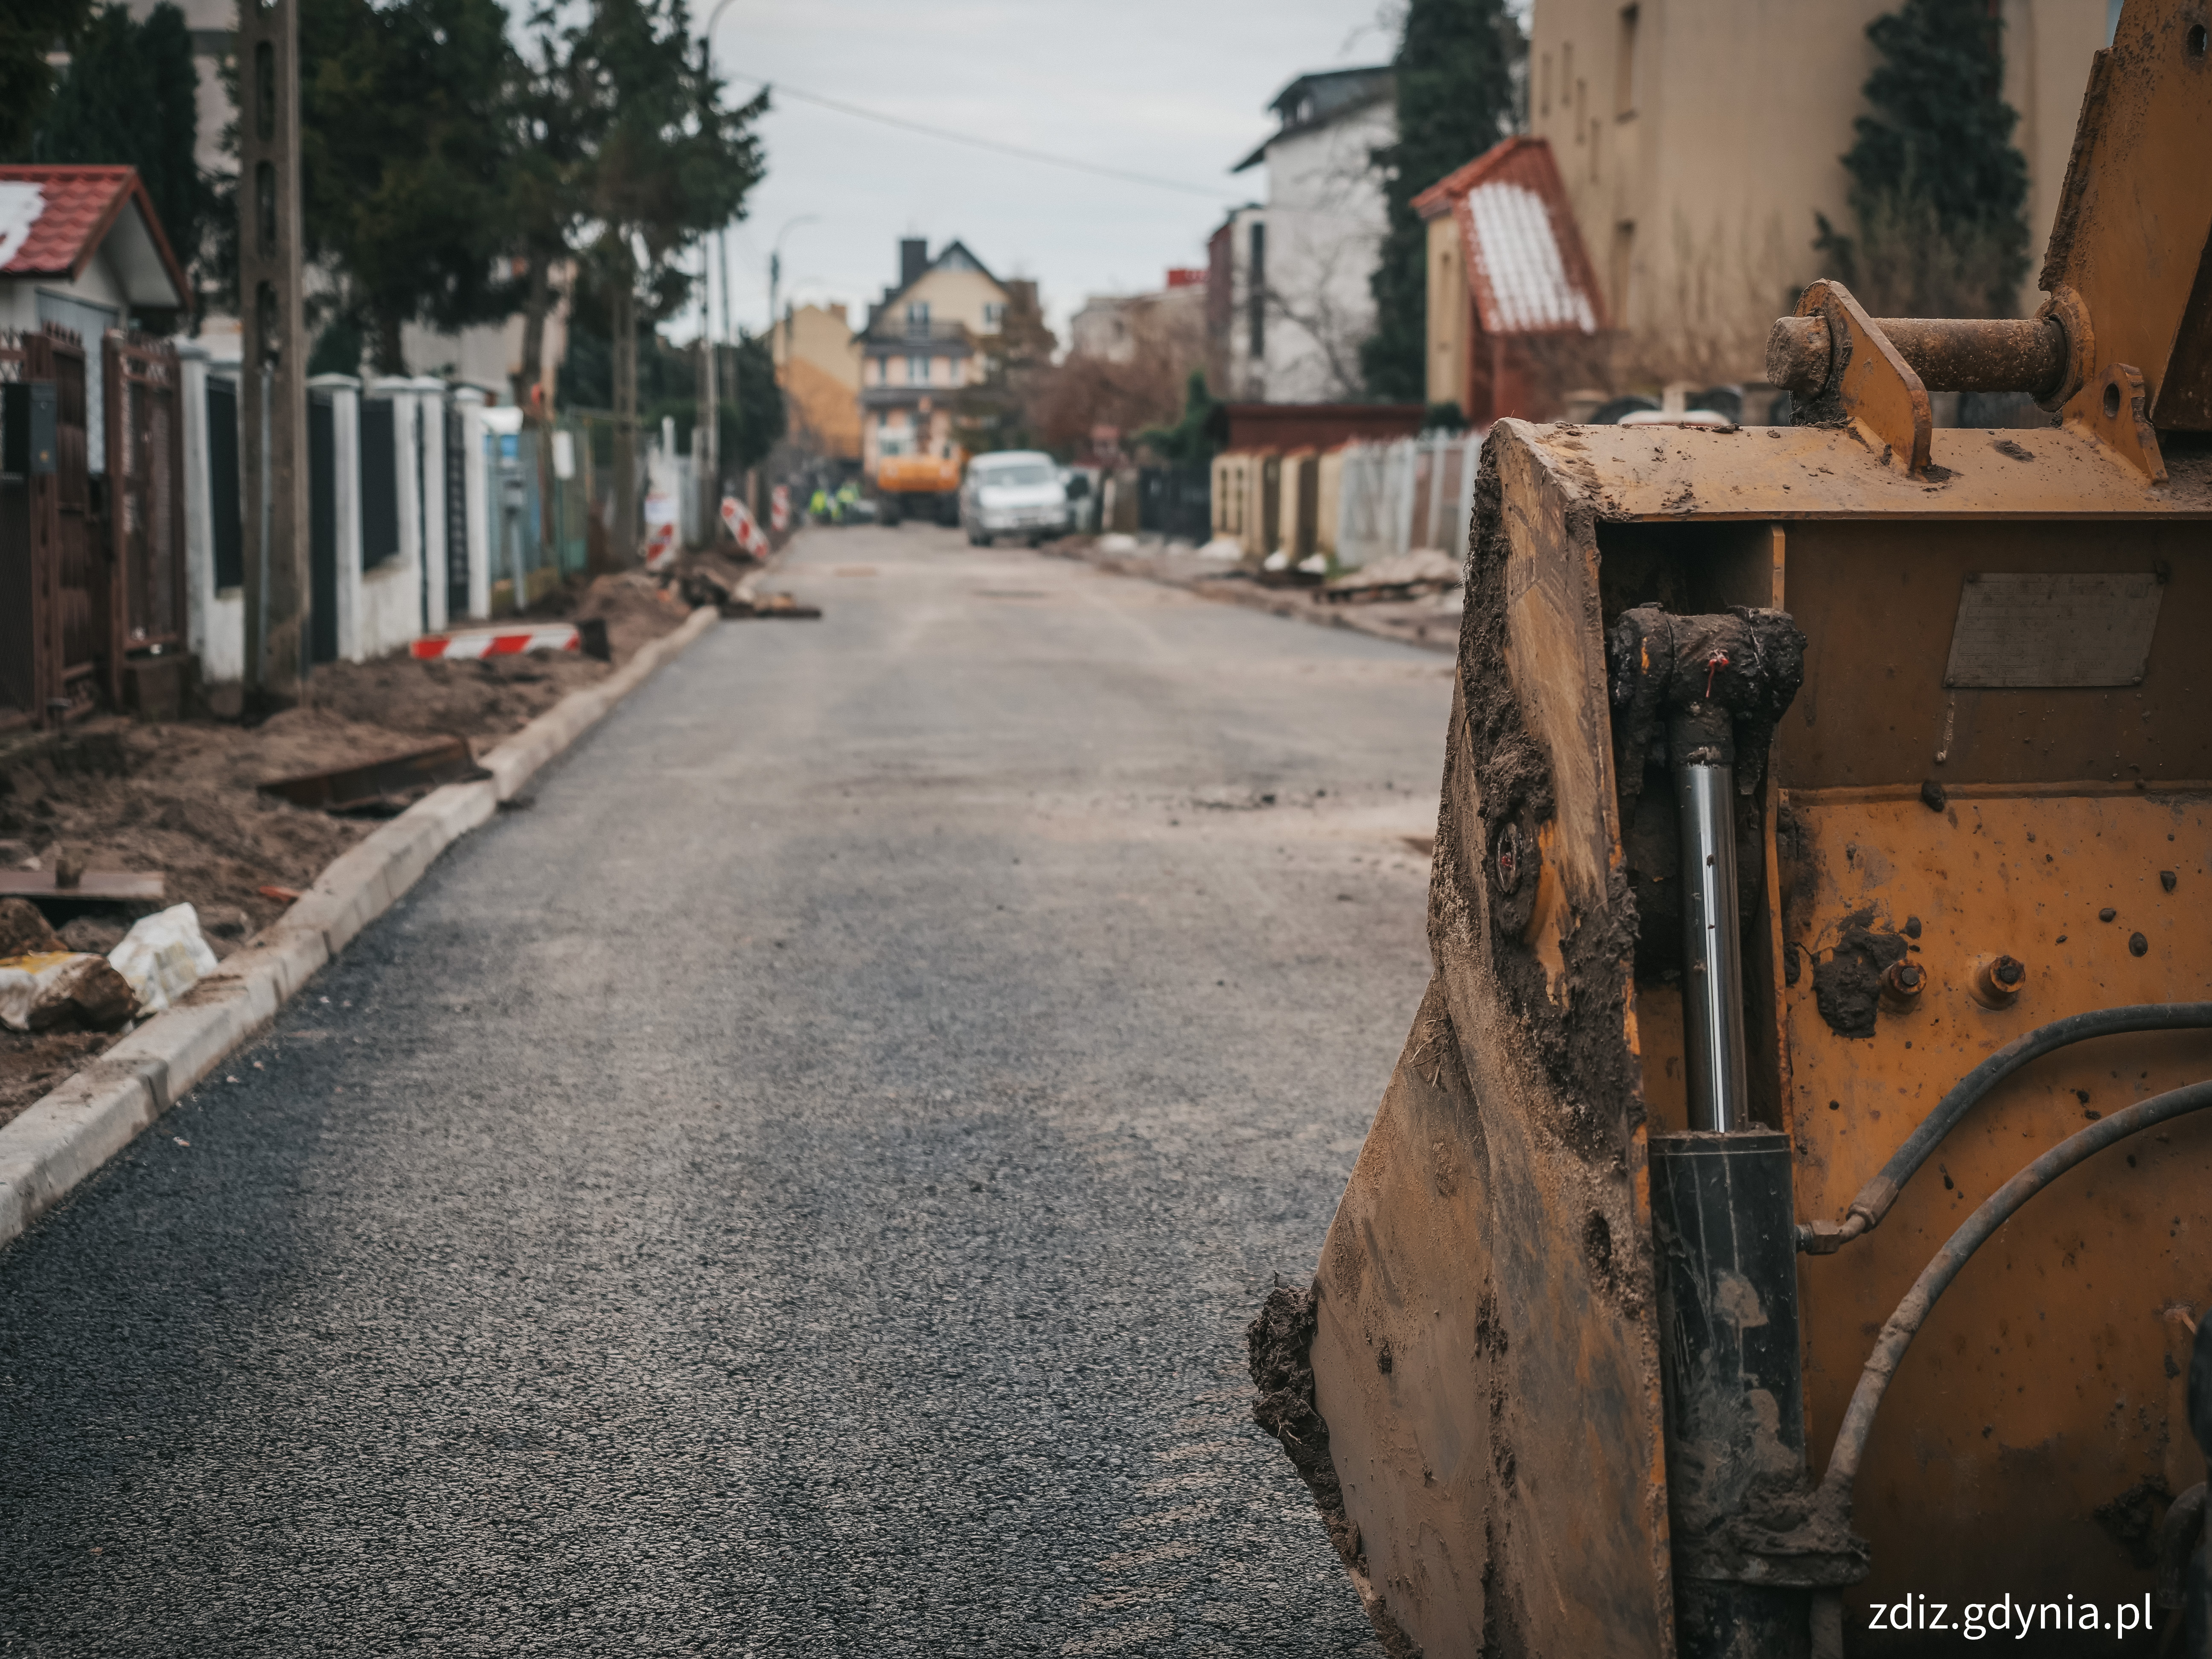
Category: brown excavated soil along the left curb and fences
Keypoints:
(180, 797)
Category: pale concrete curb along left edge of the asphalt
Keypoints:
(96, 1114)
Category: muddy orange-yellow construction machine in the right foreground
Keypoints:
(1788, 1231)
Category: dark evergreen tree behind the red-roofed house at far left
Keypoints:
(132, 98)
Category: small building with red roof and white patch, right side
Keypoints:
(1514, 306)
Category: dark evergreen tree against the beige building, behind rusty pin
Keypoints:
(1939, 189)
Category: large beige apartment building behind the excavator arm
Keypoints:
(1700, 138)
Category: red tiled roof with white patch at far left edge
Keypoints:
(56, 218)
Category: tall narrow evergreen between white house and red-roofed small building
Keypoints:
(1454, 103)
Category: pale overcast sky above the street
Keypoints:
(1176, 90)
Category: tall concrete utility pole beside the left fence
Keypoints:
(273, 322)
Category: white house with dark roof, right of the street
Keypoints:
(1288, 275)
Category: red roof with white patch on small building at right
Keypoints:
(1525, 260)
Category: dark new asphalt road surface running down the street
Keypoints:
(795, 1189)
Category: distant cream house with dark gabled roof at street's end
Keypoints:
(921, 348)
